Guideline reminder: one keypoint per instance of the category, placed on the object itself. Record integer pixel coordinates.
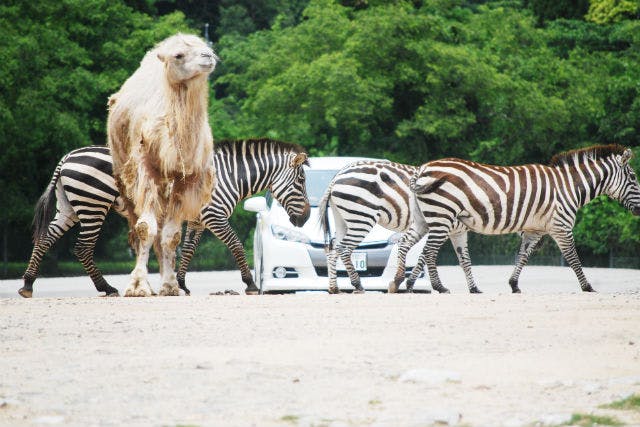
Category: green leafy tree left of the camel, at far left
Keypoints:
(59, 62)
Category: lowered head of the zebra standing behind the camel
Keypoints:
(289, 189)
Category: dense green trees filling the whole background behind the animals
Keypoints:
(505, 82)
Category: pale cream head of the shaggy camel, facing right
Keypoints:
(185, 57)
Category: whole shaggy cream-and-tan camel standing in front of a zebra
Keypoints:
(161, 145)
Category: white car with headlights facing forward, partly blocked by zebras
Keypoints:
(288, 258)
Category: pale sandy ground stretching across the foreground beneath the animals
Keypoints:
(313, 359)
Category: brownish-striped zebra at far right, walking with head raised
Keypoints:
(457, 195)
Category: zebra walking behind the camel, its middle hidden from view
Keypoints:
(85, 191)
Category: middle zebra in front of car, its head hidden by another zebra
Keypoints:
(361, 195)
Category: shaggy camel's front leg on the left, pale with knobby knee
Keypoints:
(146, 229)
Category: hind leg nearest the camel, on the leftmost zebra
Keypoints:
(84, 249)
